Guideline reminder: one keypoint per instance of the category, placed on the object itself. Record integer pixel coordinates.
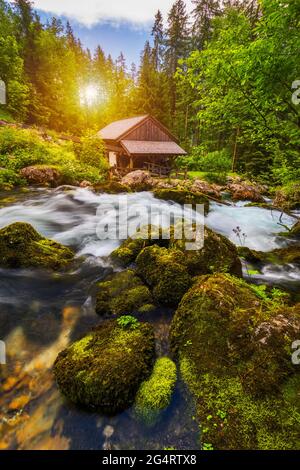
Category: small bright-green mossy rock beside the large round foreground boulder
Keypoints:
(155, 394)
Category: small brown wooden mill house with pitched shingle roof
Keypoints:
(140, 143)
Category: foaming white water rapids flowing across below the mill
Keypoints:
(72, 216)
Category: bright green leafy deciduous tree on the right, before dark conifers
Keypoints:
(238, 104)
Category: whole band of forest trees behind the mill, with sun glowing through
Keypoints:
(220, 78)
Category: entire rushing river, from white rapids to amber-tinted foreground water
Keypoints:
(40, 313)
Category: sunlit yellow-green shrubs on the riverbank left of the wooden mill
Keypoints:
(22, 148)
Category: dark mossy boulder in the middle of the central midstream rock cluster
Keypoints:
(165, 272)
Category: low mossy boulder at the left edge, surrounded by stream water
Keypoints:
(21, 246)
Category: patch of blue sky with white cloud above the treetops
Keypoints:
(117, 25)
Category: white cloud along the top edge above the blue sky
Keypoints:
(91, 12)
